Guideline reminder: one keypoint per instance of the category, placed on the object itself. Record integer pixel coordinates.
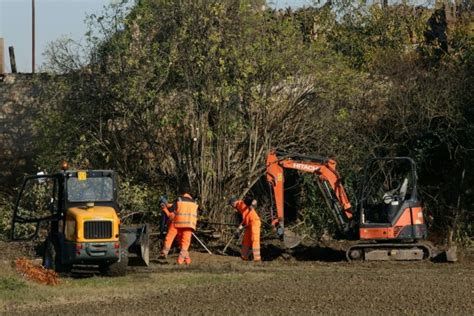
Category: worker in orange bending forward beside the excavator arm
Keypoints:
(251, 222)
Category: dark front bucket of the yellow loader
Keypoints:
(136, 238)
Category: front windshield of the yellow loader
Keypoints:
(92, 189)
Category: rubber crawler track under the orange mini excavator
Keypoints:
(389, 252)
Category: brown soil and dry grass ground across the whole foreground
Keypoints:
(224, 285)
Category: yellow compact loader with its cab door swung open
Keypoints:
(76, 212)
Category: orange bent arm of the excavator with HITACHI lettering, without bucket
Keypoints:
(329, 182)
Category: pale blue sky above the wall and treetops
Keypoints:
(55, 19)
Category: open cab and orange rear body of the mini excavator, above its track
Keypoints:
(389, 207)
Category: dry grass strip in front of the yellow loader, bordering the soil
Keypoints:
(20, 293)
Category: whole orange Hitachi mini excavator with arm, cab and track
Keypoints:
(388, 222)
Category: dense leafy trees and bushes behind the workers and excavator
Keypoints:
(198, 92)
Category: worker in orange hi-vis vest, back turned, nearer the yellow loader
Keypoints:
(182, 220)
